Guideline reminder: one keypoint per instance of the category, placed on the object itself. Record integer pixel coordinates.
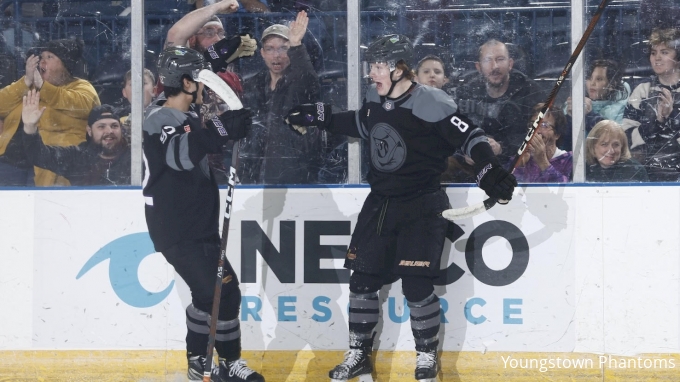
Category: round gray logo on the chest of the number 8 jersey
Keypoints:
(388, 150)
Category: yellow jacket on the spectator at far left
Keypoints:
(62, 124)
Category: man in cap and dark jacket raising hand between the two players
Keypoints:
(272, 153)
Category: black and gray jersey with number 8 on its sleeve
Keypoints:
(410, 138)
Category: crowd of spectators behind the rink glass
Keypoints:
(68, 137)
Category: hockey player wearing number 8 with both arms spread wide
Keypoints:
(411, 130)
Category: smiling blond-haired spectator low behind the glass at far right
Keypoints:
(608, 157)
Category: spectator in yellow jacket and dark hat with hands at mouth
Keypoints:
(68, 101)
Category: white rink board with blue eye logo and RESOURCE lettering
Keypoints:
(581, 271)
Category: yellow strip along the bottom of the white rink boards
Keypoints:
(292, 366)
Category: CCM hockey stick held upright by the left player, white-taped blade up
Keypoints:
(216, 84)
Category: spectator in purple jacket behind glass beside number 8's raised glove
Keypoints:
(543, 161)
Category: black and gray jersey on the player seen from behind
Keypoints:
(180, 192)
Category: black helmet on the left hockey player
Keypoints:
(177, 61)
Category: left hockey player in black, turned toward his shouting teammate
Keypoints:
(182, 208)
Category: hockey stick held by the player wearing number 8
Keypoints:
(469, 211)
